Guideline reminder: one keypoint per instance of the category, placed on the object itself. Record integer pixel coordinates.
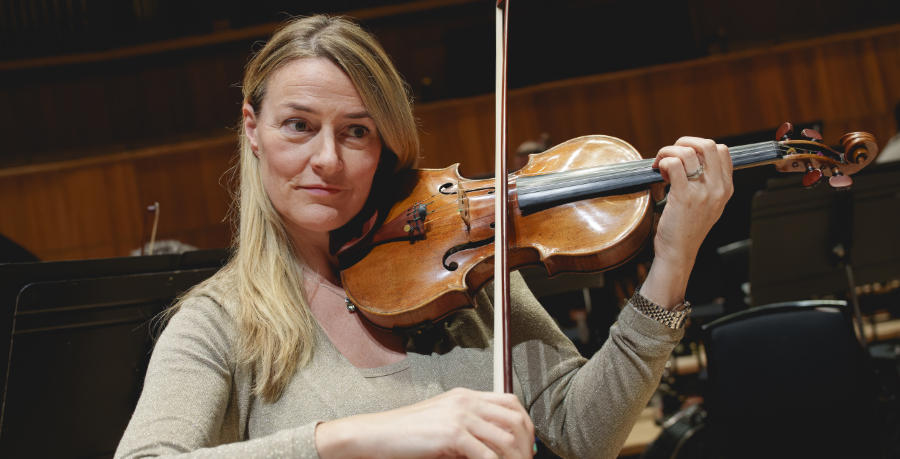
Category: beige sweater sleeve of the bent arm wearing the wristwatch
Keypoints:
(586, 408)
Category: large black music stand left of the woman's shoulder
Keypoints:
(74, 346)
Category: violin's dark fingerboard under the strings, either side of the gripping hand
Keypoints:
(575, 185)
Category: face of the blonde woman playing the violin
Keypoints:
(317, 145)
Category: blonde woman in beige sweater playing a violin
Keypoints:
(264, 359)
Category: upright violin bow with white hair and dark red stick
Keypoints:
(502, 351)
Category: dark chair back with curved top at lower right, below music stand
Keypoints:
(790, 380)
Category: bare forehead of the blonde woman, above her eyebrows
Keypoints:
(312, 80)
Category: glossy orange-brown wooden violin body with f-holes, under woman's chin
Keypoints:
(434, 248)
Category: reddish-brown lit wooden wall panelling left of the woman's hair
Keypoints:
(93, 209)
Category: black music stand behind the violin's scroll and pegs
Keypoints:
(796, 233)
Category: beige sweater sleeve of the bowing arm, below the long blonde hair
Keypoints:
(190, 405)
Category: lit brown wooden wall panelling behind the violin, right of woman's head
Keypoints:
(851, 82)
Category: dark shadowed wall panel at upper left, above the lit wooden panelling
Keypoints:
(106, 107)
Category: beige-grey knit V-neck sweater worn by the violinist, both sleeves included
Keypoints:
(197, 402)
